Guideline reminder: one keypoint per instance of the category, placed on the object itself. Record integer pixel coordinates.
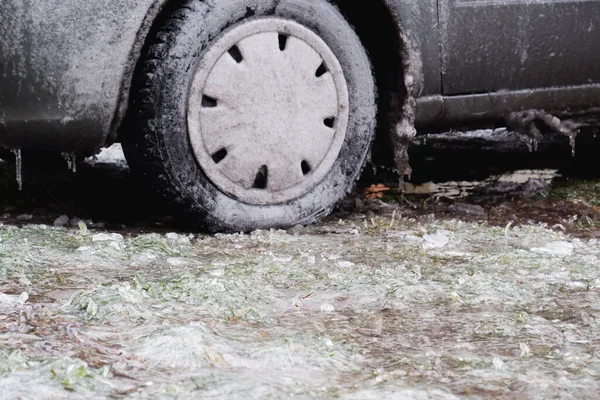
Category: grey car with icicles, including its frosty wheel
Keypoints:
(249, 114)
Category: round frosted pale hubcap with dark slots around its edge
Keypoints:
(268, 111)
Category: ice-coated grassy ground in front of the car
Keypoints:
(395, 310)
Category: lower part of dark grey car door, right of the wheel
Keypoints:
(506, 45)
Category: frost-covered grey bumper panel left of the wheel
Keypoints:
(62, 69)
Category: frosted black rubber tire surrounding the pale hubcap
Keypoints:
(157, 142)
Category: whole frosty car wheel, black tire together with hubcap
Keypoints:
(169, 144)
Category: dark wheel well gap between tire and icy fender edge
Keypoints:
(381, 36)
